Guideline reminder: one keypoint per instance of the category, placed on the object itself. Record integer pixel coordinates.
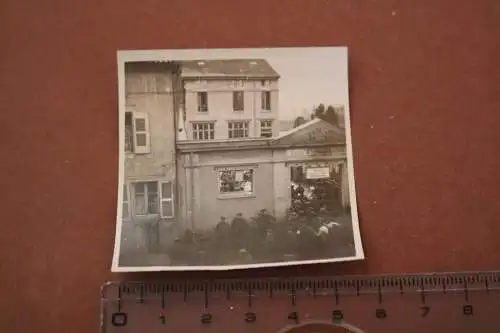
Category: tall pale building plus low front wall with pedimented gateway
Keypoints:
(231, 155)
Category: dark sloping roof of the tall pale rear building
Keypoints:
(237, 68)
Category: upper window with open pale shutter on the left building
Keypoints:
(137, 137)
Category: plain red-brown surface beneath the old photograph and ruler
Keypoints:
(425, 123)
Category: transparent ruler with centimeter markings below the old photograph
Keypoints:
(447, 302)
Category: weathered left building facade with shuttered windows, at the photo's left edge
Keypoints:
(149, 201)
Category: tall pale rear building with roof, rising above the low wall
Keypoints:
(229, 99)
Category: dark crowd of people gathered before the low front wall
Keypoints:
(302, 235)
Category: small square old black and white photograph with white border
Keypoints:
(234, 158)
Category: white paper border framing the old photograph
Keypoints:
(161, 55)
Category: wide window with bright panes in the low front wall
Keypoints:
(237, 181)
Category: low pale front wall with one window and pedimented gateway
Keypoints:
(265, 164)
